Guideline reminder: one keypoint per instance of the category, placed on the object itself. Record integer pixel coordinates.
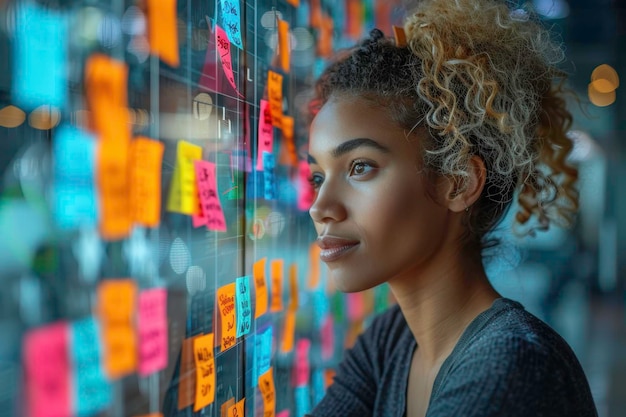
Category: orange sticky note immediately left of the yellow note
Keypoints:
(146, 156)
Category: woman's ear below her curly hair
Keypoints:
(462, 195)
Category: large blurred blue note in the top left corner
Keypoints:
(39, 57)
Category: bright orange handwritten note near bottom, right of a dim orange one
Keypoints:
(205, 371)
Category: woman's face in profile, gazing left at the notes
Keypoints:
(373, 215)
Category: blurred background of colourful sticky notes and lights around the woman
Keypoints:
(107, 223)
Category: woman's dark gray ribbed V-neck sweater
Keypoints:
(506, 363)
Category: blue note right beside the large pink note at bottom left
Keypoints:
(92, 390)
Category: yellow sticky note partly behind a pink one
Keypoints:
(183, 194)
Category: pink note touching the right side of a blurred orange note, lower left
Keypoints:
(152, 331)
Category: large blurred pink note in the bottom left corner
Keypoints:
(46, 363)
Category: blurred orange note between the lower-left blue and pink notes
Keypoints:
(116, 309)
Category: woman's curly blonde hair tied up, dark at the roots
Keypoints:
(483, 80)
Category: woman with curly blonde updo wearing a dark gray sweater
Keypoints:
(416, 152)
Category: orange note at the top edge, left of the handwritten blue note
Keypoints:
(163, 30)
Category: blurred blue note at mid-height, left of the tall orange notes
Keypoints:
(75, 201)
